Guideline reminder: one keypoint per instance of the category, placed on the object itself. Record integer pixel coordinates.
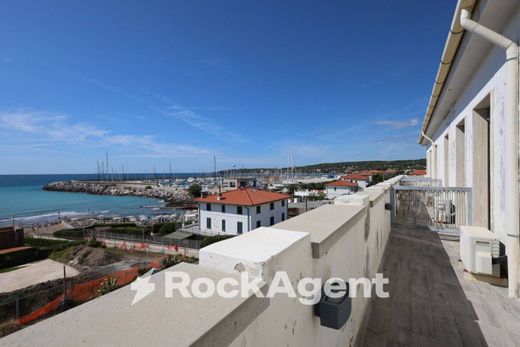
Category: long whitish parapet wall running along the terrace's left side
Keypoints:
(346, 240)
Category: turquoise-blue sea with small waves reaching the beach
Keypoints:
(23, 200)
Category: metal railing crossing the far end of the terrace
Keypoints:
(439, 207)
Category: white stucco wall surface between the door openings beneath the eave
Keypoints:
(488, 79)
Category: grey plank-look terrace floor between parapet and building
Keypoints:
(433, 302)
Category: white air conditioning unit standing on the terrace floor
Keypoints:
(478, 247)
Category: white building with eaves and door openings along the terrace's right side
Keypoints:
(471, 124)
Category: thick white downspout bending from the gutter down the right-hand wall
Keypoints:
(511, 140)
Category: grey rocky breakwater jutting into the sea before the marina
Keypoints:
(146, 190)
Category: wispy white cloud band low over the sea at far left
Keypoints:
(62, 131)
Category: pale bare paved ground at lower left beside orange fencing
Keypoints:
(33, 273)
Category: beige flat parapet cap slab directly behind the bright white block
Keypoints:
(326, 224)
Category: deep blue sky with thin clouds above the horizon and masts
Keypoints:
(248, 81)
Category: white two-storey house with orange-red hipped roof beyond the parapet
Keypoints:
(241, 210)
